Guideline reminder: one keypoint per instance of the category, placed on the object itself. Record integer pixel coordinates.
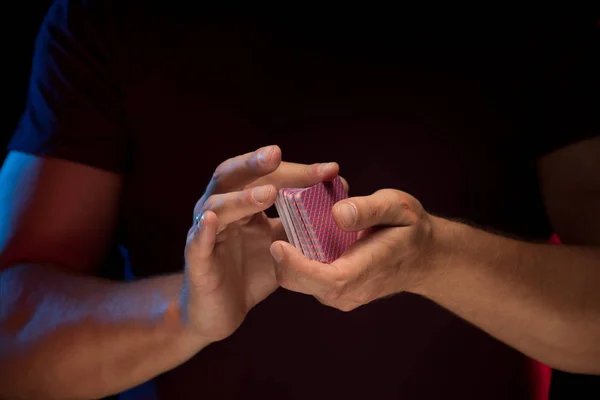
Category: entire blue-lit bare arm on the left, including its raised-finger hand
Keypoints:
(126, 333)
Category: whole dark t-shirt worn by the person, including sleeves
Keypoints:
(454, 110)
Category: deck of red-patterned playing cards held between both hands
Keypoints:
(308, 222)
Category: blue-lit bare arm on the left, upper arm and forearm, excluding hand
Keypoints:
(63, 333)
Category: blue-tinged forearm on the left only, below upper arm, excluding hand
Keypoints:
(70, 336)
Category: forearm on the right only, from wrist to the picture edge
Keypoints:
(544, 300)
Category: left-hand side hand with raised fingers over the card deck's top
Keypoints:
(228, 265)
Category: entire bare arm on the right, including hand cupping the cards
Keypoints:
(538, 298)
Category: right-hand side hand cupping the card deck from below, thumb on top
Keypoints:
(395, 252)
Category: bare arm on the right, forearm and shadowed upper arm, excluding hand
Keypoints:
(541, 299)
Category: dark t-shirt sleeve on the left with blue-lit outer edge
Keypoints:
(74, 108)
